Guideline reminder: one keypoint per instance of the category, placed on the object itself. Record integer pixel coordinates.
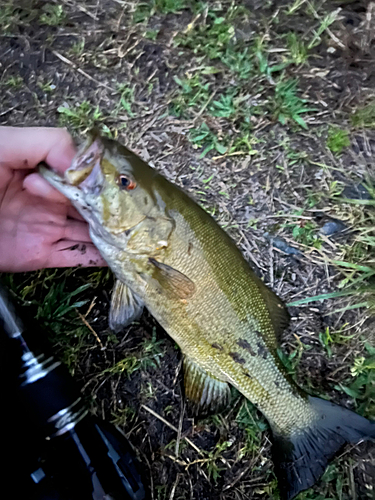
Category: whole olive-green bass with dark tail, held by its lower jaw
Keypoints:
(171, 257)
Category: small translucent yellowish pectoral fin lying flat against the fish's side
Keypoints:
(174, 283)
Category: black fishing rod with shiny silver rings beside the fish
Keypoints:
(54, 448)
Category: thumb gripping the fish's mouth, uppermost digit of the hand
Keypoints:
(28, 146)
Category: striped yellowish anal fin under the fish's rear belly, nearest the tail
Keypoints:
(207, 393)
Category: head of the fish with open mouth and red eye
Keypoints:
(117, 193)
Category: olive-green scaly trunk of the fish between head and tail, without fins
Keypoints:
(225, 325)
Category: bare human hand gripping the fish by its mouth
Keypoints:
(38, 226)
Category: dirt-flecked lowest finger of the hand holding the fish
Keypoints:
(75, 254)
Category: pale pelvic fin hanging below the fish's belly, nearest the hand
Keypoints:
(126, 307)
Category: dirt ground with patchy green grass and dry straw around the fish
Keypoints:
(265, 113)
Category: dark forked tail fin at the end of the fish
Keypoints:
(301, 459)
